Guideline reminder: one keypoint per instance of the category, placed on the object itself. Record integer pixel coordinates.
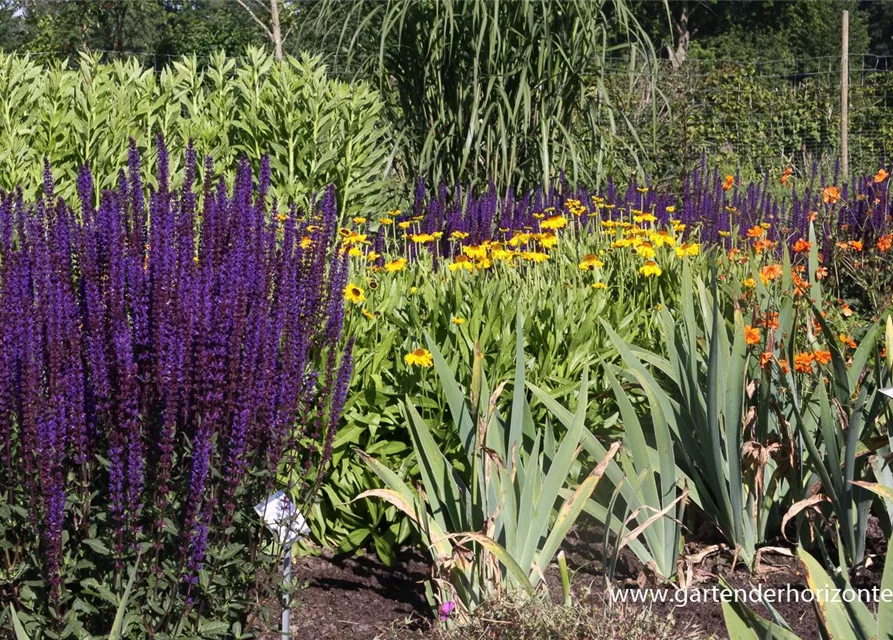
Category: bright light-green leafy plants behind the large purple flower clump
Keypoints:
(316, 130)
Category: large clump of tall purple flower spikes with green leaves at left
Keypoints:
(162, 358)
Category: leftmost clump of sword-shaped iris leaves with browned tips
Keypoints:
(490, 524)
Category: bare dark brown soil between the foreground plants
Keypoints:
(360, 598)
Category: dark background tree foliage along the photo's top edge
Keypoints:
(775, 29)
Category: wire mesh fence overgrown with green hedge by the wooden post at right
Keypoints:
(760, 115)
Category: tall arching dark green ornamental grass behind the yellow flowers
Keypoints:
(512, 91)
